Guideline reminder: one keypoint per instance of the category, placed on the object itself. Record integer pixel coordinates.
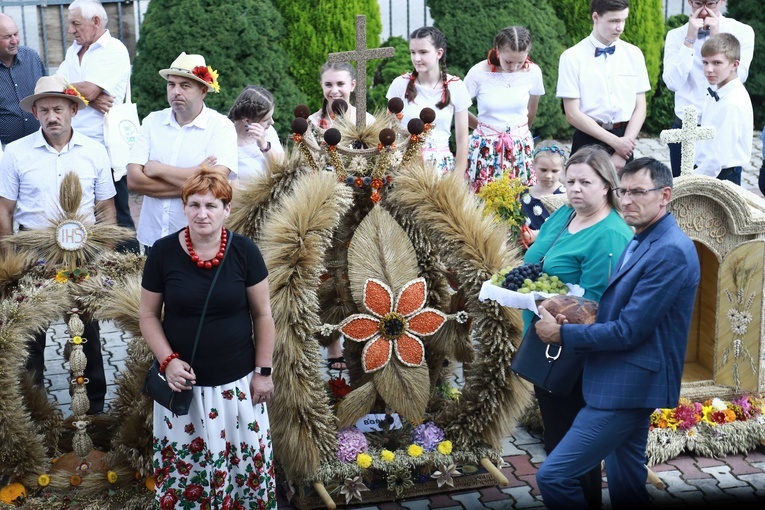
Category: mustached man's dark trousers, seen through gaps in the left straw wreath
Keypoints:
(94, 370)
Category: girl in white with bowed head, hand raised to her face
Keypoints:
(253, 116)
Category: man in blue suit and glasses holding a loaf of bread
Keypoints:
(634, 352)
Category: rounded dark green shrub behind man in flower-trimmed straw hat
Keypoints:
(237, 39)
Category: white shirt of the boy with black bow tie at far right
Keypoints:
(733, 118)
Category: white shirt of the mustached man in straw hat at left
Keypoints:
(31, 172)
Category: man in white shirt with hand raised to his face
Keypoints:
(683, 71)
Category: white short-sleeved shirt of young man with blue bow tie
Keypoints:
(606, 86)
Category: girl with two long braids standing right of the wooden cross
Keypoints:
(429, 85)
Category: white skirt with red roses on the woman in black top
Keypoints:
(218, 456)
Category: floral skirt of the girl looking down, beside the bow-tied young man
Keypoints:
(490, 156)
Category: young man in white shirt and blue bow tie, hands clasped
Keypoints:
(602, 81)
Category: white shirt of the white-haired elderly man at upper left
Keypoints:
(106, 63)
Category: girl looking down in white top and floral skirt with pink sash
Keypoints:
(507, 87)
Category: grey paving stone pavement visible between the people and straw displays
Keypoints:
(691, 481)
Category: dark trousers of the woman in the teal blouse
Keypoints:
(558, 413)
